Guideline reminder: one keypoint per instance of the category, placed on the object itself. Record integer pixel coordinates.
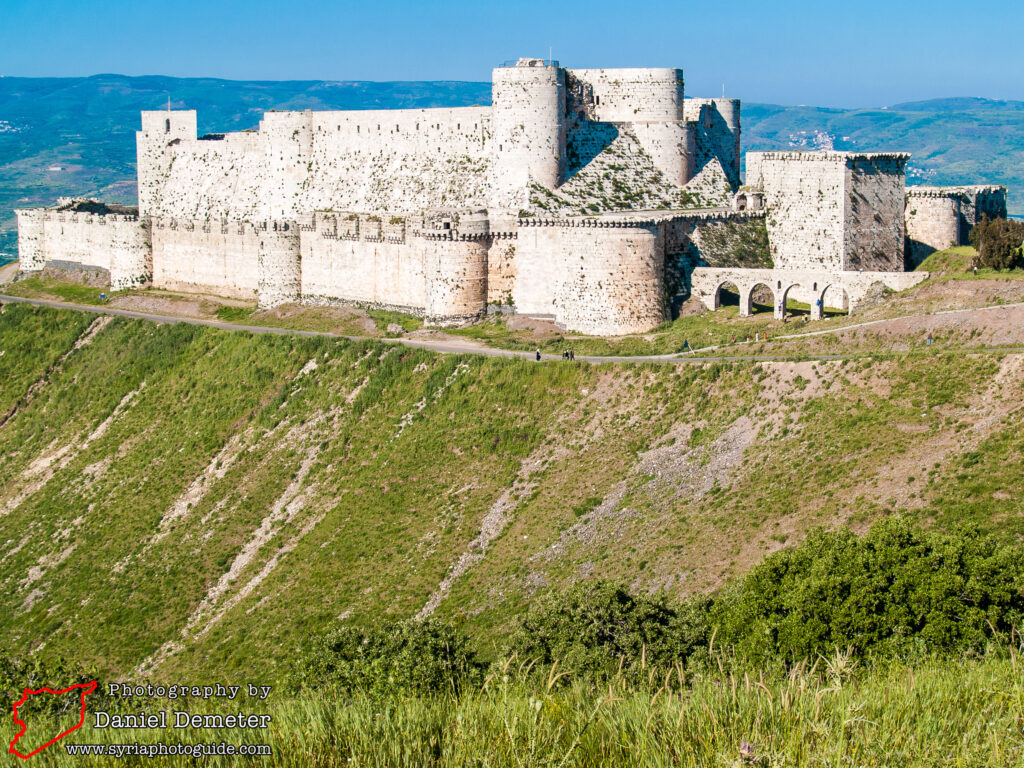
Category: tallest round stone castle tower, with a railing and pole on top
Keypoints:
(529, 123)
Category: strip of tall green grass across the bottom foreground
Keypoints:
(933, 714)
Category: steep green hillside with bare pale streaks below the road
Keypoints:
(179, 499)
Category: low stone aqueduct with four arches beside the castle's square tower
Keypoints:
(806, 286)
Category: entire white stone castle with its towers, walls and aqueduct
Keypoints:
(600, 199)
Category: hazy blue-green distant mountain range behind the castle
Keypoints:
(76, 136)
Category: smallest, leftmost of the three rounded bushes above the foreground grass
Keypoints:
(412, 657)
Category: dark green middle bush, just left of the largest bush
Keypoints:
(593, 628)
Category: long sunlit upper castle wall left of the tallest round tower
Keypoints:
(398, 160)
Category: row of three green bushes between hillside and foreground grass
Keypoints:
(898, 592)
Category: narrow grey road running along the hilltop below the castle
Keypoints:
(459, 347)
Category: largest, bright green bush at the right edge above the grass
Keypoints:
(898, 591)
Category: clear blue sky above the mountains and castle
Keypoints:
(865, 54)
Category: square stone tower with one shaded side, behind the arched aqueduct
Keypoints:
(833, 210)
